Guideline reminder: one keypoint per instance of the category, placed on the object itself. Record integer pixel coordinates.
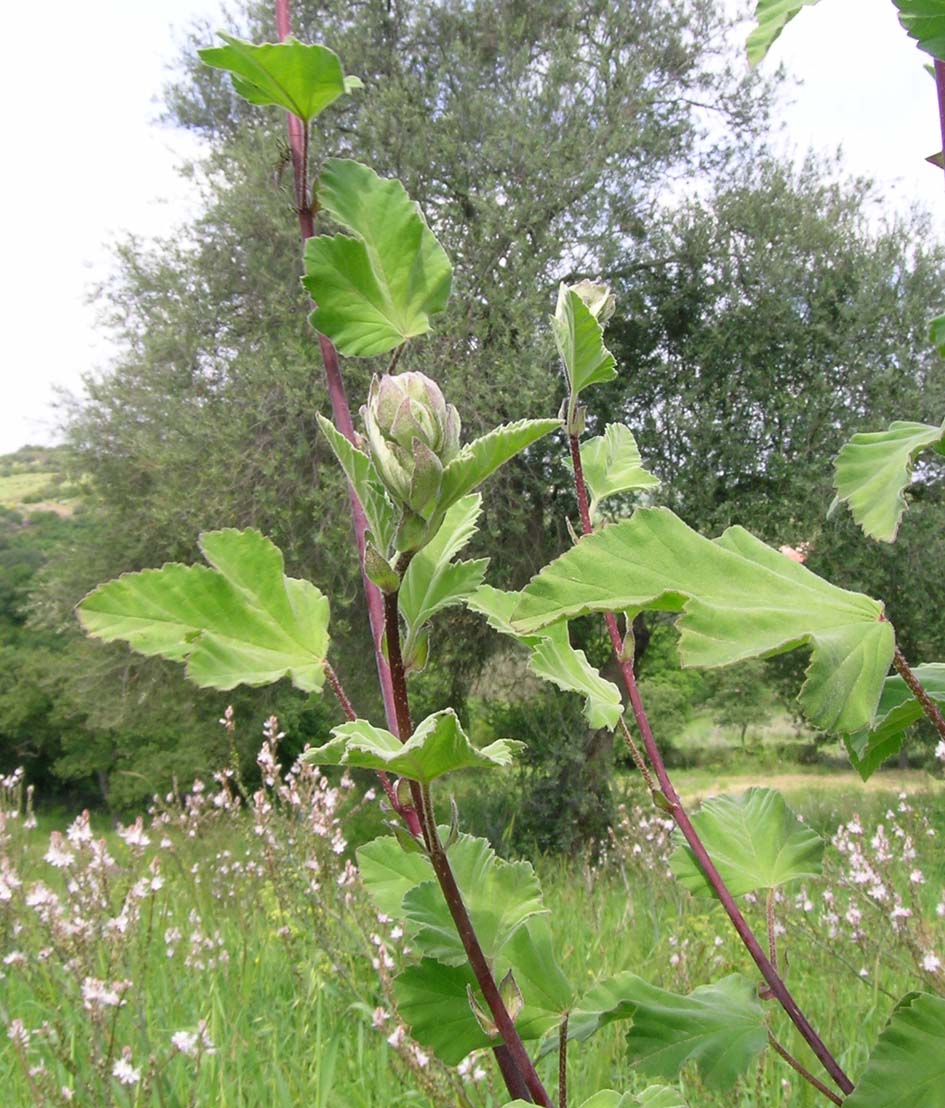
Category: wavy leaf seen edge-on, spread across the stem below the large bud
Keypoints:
(438, 746)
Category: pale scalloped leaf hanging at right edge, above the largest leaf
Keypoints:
(875, 469)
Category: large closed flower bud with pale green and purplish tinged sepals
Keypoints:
(413, 434)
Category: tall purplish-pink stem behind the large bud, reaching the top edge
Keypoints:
(341, 411)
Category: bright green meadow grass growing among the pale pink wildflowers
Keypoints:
(290, 1011)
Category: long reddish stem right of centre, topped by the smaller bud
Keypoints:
(778, 988)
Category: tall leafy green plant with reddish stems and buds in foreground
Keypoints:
(488, 976)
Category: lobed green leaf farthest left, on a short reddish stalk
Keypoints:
(241, 623)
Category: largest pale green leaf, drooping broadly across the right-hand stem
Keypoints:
(739, 600)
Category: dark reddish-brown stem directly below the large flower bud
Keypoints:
(424, 804)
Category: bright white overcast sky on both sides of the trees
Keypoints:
(87, 162)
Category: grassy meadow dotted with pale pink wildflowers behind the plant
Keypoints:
(212, 952)
